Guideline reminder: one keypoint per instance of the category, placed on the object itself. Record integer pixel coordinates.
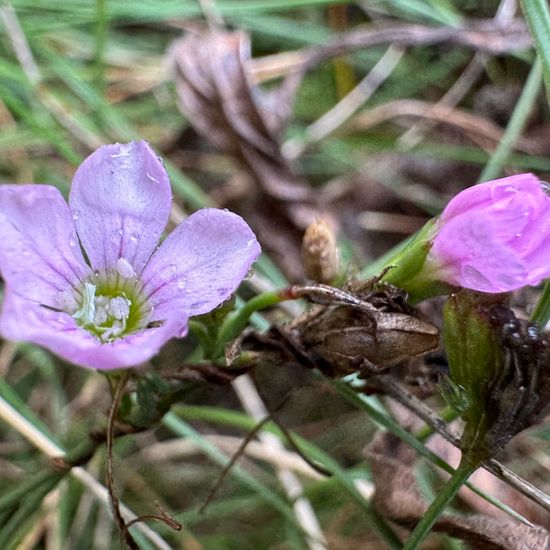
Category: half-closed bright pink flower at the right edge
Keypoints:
(495, 236)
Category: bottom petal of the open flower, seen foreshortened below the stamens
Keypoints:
(58, 332)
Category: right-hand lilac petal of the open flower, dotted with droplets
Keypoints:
(200, 264)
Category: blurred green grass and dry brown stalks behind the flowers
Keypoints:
(378, 139)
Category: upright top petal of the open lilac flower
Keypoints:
(120, 198)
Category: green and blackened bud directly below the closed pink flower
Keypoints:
(494, 362)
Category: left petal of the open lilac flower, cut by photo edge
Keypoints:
(40, 257)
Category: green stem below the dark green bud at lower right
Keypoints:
(458, 479)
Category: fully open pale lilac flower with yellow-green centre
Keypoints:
(88, 280)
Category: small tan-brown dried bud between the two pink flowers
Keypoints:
(320, 253)
